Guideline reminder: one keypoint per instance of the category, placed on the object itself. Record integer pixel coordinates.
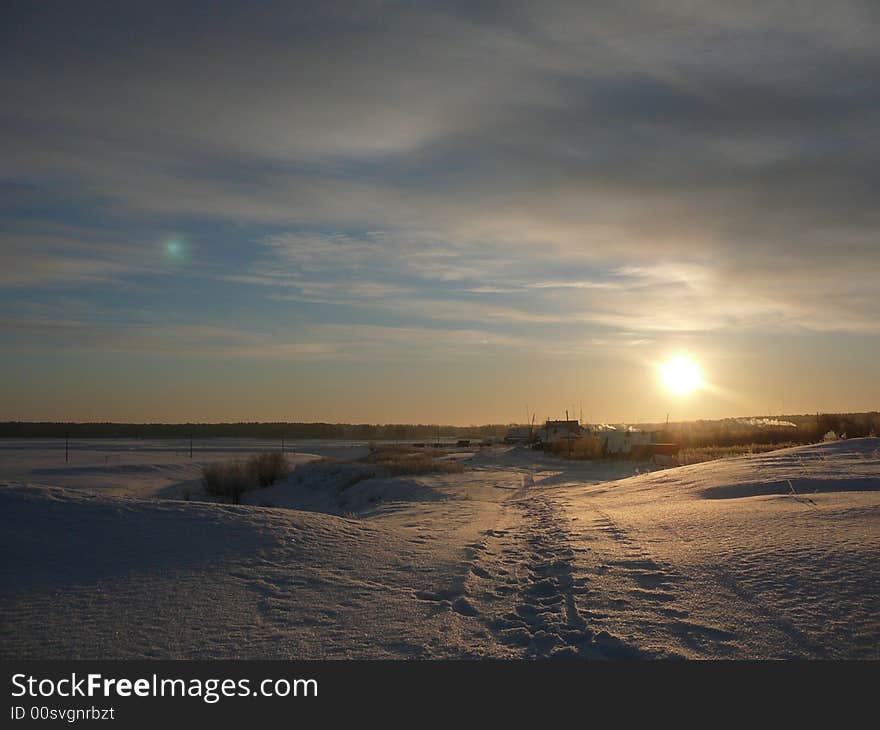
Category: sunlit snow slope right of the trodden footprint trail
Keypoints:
(776, 555)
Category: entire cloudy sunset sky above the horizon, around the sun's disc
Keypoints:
(457, 212)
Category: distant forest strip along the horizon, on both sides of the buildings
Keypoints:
(724, 432)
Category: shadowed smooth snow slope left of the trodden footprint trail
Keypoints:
(88, 576)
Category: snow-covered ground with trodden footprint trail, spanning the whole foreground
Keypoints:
(522, 555)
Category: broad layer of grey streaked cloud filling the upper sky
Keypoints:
(690, 167)
